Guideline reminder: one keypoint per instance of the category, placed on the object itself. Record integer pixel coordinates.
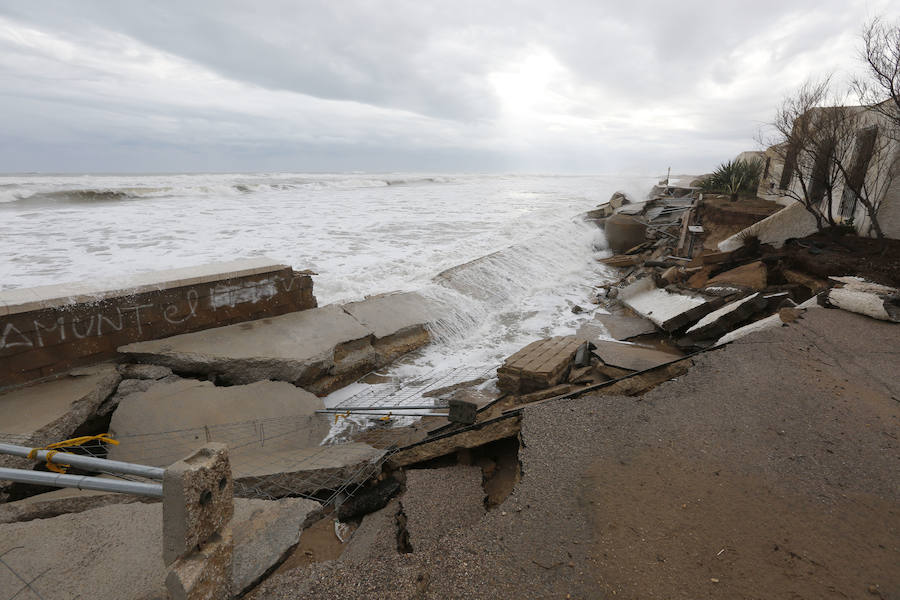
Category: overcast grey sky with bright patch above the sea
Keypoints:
(406, 85)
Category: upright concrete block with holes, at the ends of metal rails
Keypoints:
(197, 501)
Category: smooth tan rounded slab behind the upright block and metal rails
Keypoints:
(171, 419)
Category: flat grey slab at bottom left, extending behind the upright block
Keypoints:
(115, 552)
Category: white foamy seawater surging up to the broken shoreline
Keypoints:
(362, 233)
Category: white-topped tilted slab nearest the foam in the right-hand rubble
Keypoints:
(669, 310)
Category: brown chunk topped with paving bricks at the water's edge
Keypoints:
(538, 365)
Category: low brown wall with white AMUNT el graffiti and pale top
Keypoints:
(48, 330)
